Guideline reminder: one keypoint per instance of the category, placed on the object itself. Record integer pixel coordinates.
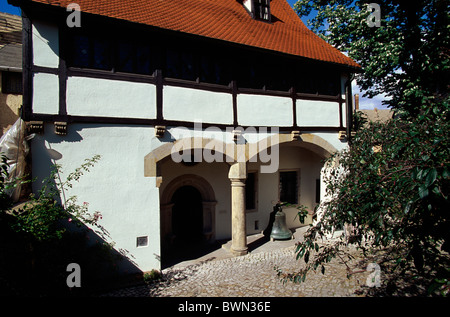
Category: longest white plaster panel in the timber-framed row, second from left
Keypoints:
(113, 98)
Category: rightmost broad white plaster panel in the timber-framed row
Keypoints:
(317, 113)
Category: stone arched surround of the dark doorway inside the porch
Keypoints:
(208, 205)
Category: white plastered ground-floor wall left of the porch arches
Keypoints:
(115, 186)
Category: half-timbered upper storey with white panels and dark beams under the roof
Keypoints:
(217, 86)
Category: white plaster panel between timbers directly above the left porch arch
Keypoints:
(186, 104)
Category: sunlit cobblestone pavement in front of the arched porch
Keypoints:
(252, 275)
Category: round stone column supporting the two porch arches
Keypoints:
(237, 176)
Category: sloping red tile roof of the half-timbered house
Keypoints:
(226, 20)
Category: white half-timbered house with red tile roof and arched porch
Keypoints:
(205, 114)
